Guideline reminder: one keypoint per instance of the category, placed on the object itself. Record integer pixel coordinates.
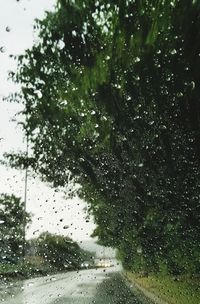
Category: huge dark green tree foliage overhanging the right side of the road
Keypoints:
(111, 95)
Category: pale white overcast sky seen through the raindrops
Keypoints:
(50, 211)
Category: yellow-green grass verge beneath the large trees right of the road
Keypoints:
(181, 290)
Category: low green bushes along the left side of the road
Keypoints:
(48, 254)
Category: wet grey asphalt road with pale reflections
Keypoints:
(100, 286)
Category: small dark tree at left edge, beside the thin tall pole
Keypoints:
(12, 220)
